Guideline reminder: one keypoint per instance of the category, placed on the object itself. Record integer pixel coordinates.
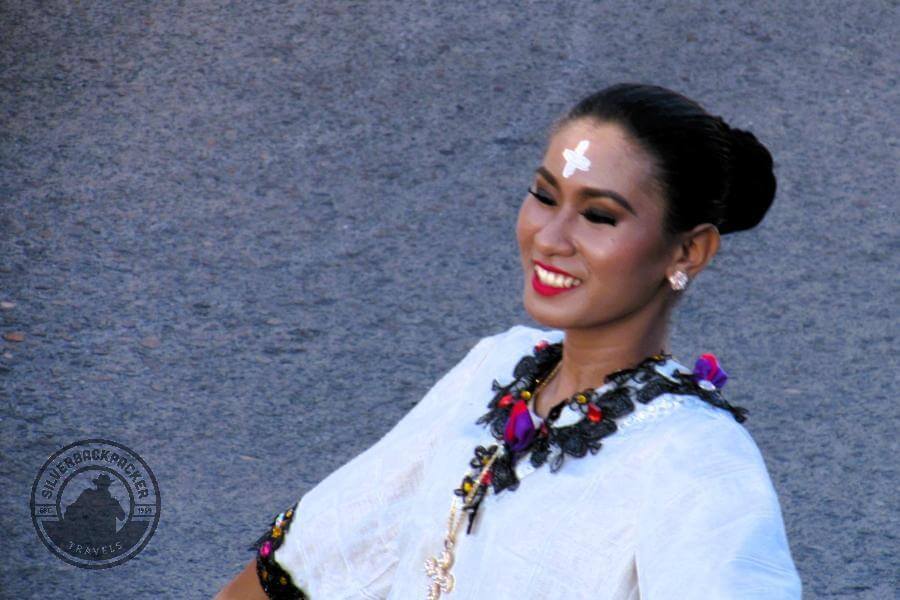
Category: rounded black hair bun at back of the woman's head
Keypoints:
(752, 186)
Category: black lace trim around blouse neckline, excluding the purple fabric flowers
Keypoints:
(600, 410)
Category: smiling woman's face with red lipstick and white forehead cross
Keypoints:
(615, 255)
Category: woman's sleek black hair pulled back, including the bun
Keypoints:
(708, 171)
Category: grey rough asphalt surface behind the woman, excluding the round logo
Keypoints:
(244, 239)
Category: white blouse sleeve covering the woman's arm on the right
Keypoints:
(711, 525)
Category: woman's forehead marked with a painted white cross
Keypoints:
(616, 162)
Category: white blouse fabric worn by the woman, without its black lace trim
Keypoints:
(676, 504)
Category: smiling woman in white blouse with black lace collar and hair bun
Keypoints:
(497, 484)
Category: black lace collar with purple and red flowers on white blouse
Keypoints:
(575, 425)
